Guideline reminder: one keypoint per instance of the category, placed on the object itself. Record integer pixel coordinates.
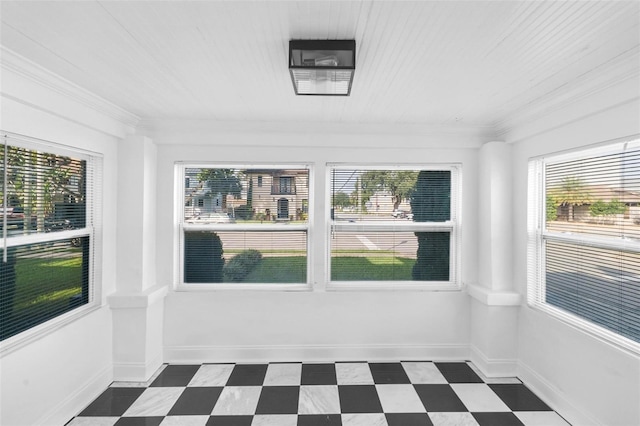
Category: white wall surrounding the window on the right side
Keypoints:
(587, 380)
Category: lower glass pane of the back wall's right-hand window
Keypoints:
(390, 256)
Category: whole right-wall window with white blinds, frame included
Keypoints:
(584, 239)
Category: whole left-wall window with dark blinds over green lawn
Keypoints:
(48, 195)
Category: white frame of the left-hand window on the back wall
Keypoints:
(180, 228)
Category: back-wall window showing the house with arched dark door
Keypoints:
(240, 233)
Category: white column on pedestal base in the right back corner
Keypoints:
(494, 303)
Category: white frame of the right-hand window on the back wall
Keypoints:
(453, 225)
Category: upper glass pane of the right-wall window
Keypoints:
(597, 195)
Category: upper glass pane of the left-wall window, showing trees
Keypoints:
(45, 192)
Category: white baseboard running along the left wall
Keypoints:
(78, 400)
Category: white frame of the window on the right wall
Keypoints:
(538, 235)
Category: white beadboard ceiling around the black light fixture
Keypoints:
(440, 63)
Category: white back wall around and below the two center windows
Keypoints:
(253, 325)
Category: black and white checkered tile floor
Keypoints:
(305, 394)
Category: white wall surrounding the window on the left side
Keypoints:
(49, 380)
